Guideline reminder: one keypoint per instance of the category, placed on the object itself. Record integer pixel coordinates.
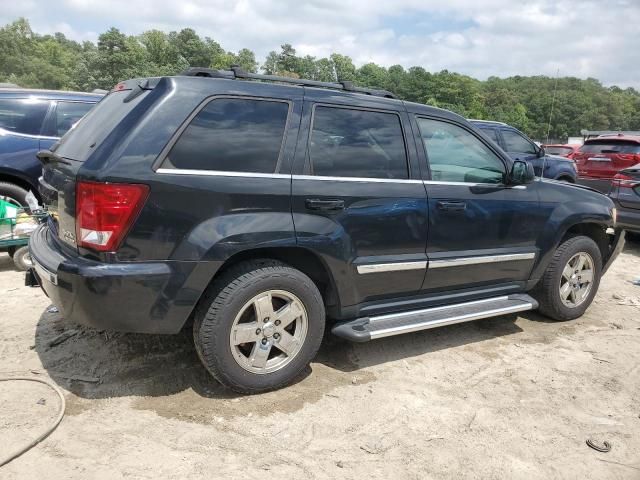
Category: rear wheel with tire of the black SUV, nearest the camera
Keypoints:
(259, 326)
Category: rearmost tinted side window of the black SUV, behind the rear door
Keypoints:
(232, 134)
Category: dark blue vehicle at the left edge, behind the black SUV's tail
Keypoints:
(32, 120)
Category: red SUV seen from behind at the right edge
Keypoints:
(601, 158)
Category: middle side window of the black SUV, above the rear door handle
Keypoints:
(357, 143)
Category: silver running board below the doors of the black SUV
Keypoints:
(370, 328)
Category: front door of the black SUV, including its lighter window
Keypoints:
(482, 232)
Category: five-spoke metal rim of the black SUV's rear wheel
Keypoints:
(269, 331)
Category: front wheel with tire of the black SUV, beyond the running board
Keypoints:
(571, 280)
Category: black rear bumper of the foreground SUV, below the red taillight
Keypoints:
(149, 297)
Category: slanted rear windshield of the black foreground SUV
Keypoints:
(81, 140)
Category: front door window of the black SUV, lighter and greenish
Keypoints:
(455, 155)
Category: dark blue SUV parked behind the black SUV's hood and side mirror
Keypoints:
(520, 147)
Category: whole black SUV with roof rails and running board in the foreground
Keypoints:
(264, 210)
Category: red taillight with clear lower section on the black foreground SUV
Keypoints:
(105, 211)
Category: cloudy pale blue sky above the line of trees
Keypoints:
(476, 37)
